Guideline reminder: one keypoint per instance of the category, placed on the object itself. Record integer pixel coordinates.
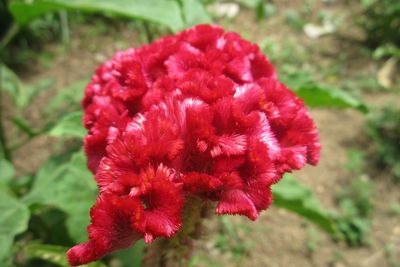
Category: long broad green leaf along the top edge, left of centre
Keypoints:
(164, 12)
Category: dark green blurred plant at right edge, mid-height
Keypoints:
(384, 130)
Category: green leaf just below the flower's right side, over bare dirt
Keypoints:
(291, 195)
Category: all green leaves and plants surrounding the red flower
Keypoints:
(44, 211)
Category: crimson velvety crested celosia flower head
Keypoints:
(202, 114)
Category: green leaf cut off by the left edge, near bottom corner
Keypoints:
(13, 220)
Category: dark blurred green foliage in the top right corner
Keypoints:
(381, 22)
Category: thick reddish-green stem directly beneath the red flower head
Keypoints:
(177, 251)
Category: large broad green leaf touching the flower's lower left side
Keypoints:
(69, 187)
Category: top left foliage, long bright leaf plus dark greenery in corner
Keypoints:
(28, 24)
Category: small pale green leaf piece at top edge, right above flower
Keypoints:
(194, 13)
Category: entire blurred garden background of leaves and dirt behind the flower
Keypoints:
(341, 56)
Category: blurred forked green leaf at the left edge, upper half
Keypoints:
(20, 93)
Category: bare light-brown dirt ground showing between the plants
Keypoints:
(278, 238)
